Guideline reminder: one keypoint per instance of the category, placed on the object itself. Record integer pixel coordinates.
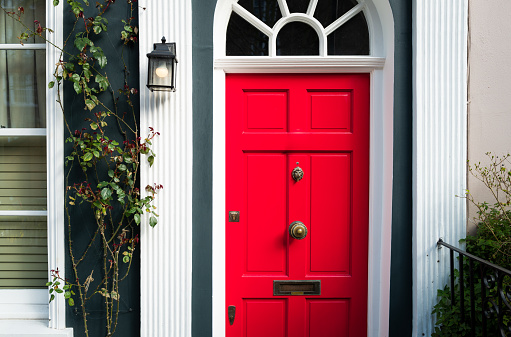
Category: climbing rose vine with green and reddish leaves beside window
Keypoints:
(102, 159)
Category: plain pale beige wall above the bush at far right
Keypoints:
(489, 92)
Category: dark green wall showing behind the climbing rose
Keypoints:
(81, 218)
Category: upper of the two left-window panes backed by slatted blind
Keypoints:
(22, 173)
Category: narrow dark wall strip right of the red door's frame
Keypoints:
(401, 262)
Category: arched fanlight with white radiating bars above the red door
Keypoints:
(297, 27)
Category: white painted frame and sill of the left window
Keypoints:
(32, 304)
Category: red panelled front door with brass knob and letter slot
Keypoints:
(274, 124)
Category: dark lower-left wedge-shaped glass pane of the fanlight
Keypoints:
(243, 39)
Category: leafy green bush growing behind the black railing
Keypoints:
(492, 242)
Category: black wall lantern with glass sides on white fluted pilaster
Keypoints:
(161, 75)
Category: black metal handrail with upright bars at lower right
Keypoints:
(495, 293)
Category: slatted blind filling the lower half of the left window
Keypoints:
(23, 240)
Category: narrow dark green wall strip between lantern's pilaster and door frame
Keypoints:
(202, 51)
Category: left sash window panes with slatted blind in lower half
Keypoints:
(23, 201)
